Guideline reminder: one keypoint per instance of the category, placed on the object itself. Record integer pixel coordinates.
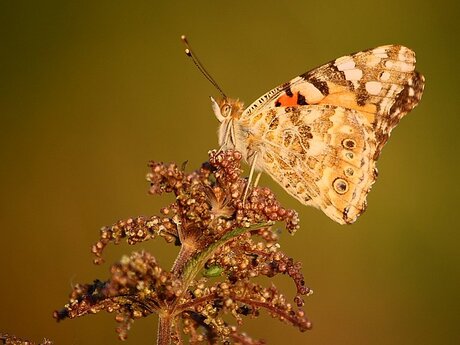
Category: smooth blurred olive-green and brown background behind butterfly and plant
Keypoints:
(92, 90)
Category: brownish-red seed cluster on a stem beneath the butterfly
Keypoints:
(225, 241)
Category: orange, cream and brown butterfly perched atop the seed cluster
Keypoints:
(320, 134)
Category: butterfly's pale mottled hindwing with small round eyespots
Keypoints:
(322, 155)
